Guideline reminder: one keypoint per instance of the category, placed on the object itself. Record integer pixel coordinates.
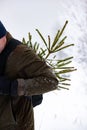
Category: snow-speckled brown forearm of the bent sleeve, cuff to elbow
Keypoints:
(35, 86)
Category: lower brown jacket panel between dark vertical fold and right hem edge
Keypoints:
(23, 113)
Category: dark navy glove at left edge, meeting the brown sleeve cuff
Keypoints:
(8, 87)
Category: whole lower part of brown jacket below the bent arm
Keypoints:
(16, 113)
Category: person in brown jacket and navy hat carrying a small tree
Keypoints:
(27, 75)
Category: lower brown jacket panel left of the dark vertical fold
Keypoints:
(6, 114)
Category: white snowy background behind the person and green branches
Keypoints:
(60, 110)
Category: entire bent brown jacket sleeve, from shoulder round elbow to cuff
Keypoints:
(38, 77)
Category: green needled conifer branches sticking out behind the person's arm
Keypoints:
(50, 52)
